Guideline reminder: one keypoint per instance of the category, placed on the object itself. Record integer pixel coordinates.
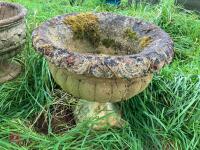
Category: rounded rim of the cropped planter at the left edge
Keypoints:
(22, 13)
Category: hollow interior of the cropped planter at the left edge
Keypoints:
(7, 11)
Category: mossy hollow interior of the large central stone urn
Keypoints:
(98, 34)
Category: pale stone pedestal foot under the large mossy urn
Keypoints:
(103, 115)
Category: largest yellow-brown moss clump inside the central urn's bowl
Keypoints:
(85, 25)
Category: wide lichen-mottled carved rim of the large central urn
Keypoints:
(153, 57)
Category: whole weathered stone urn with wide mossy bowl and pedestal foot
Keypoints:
(102, 58)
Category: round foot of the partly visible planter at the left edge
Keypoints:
(9, 70)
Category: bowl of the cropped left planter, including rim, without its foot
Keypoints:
(12, 29)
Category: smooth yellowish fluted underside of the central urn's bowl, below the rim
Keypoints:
(98, 89)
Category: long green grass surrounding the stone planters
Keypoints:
(165, 116)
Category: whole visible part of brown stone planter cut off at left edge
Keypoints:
(12, 38)
